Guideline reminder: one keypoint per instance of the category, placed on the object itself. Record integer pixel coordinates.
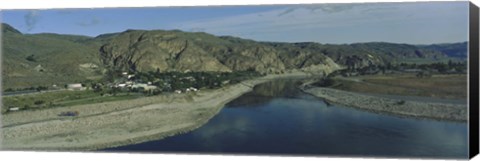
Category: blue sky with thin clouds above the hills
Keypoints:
(412, 23)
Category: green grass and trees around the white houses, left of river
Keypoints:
(102, 92)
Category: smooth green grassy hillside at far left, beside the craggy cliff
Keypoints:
(59, 56)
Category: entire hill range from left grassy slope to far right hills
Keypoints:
(46, 59)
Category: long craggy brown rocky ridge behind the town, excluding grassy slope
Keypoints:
(180, 51)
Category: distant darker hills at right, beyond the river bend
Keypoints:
(364, 54)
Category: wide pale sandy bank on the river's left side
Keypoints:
(118, 123)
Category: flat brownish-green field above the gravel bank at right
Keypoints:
(448, 86)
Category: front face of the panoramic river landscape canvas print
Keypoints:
(355, 79)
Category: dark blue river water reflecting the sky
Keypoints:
(277, 118)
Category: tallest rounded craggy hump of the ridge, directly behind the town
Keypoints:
(147, 51)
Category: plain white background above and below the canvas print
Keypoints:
(77, 156)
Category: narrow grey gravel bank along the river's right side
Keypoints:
(440, 111)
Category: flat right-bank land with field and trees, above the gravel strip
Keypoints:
(439, 79)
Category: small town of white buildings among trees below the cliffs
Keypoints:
(119, 86)
